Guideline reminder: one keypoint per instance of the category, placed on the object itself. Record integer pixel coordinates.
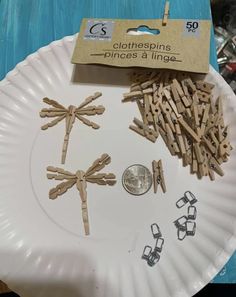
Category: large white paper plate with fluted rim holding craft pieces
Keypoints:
(43, 251)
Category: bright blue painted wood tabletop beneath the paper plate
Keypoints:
(27, 25)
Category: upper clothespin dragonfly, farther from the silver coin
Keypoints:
(59, 112)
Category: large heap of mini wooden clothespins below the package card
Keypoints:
(181, 109)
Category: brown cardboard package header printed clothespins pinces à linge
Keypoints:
(180, 45)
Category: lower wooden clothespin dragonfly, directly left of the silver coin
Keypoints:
(80, 178)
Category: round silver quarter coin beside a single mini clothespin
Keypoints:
(137, 179)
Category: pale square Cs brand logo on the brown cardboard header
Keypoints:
(99, 30)
